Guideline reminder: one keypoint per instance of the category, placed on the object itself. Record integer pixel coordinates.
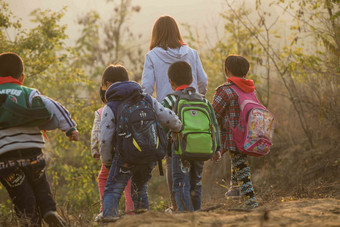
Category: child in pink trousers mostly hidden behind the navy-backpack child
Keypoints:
(104, 172)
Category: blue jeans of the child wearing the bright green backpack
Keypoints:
(187, 184)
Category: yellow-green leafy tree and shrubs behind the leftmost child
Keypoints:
(49, 67)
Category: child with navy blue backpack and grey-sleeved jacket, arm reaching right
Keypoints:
(131, 139)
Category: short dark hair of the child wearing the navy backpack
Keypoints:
(115, 73)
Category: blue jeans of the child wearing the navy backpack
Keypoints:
(117, 181)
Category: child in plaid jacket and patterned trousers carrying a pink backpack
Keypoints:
(246, 126)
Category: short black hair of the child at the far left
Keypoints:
(11, 65)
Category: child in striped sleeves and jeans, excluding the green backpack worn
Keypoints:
(180, 77)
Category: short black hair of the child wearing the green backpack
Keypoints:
(180, 73)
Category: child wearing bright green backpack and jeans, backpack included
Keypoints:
(198, 140)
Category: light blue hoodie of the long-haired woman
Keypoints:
(157, 62)
